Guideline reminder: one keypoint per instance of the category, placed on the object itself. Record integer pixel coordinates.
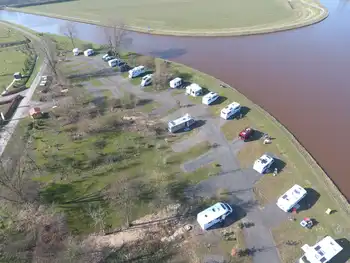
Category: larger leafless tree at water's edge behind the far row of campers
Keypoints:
(115, 35)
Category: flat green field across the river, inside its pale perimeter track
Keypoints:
(175, 14)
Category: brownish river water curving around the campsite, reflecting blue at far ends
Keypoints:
(299, 76)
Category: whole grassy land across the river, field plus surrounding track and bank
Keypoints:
(235, 17)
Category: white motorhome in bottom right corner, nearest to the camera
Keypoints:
(322, 252)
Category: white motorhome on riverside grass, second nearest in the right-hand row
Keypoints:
(291, 198)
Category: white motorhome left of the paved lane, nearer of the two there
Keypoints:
(213, 215)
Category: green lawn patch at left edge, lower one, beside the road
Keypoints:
(11, 61)
